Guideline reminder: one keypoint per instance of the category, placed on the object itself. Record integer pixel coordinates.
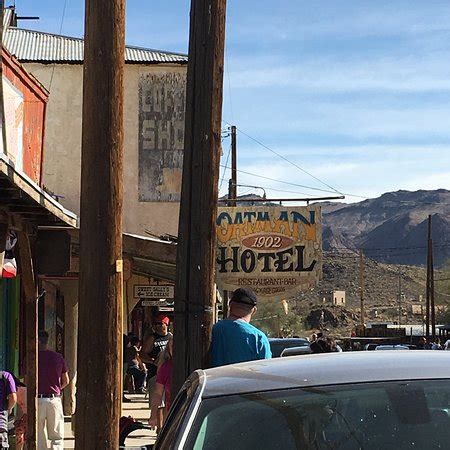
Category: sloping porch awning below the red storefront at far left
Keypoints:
(22, 196)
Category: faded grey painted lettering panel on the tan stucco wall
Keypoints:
(161, 136)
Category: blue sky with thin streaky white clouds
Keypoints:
(356, 93)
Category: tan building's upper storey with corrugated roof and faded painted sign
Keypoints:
(154, 107)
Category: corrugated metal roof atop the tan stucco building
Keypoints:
(37, 46)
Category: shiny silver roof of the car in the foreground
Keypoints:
(325, 369)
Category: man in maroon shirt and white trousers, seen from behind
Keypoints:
(53, 377)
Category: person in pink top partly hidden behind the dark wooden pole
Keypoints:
(162, 398)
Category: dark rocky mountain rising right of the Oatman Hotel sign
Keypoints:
(391, 228)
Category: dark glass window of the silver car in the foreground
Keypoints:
(370, 416)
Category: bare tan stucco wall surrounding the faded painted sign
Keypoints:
(62, 147)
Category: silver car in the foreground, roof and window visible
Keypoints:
(347, 401)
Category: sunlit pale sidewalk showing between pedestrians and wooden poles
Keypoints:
(138, 409)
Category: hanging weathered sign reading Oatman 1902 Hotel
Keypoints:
(276, 251)
